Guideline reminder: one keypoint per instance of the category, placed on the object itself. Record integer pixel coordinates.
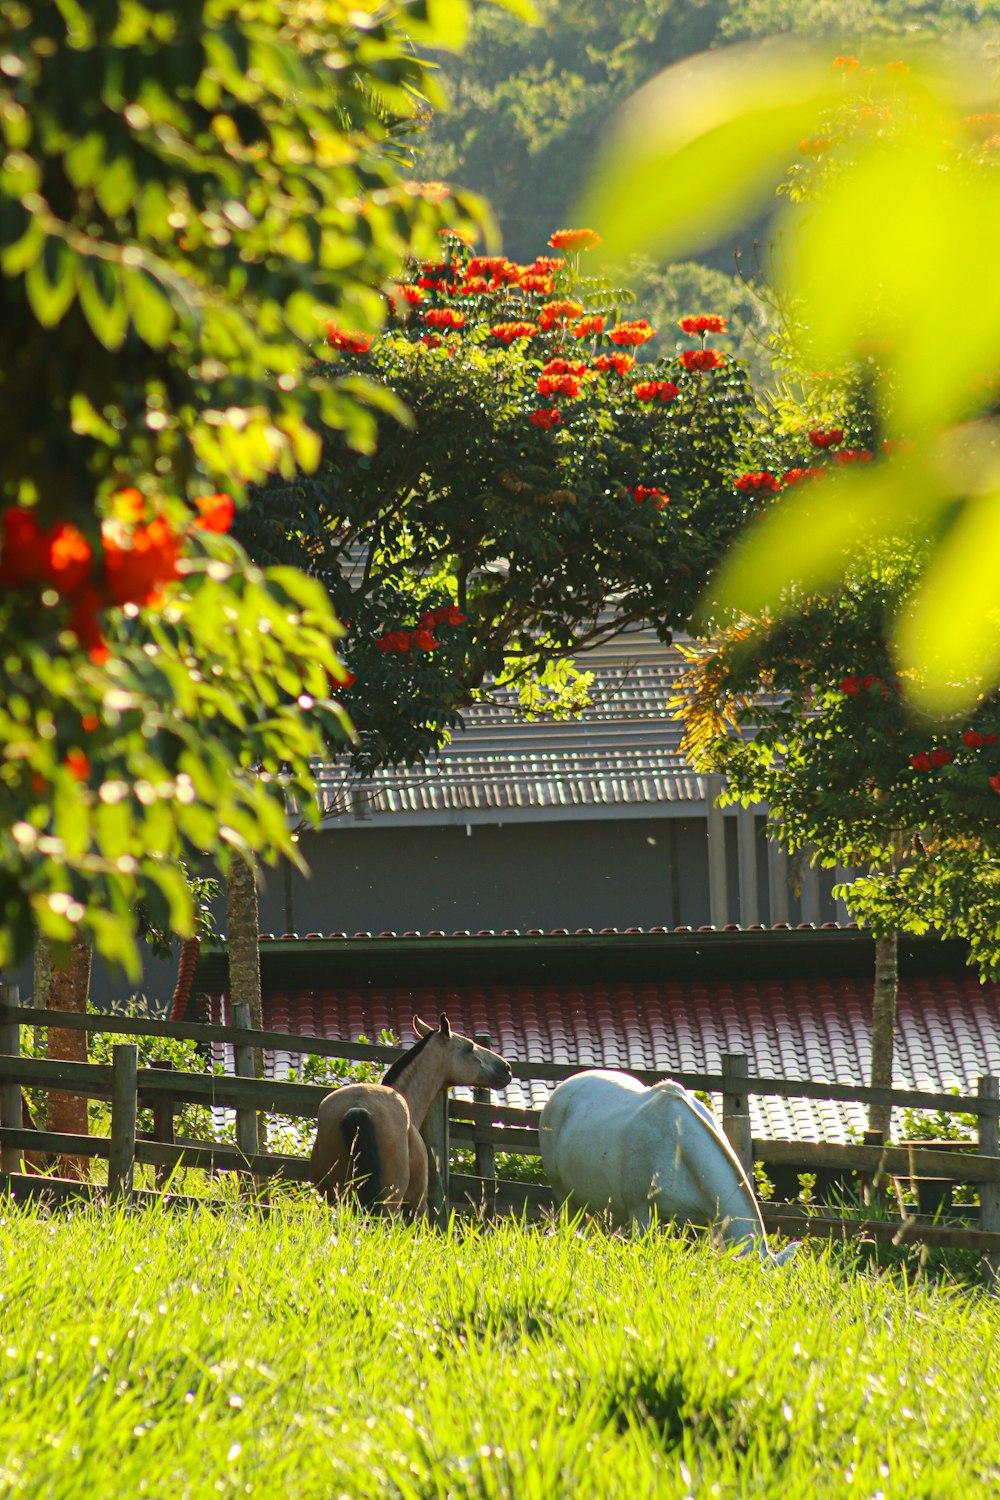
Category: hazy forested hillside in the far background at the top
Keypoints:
(530, 106)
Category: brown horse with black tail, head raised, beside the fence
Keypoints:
(368, 1139)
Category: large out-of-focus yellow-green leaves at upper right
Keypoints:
(899, 160)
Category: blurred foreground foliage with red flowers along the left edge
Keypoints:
(188, 194)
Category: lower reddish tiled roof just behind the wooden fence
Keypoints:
(948, 1033)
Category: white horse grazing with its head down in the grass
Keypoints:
(611, 1144)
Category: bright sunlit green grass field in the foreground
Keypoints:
(317, 1355)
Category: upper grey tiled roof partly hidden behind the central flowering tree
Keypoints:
(623, 752)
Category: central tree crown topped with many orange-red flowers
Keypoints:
(551, 490)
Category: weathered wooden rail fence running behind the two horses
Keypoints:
(479, 1127)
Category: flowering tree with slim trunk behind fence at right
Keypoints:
(809, 715)
